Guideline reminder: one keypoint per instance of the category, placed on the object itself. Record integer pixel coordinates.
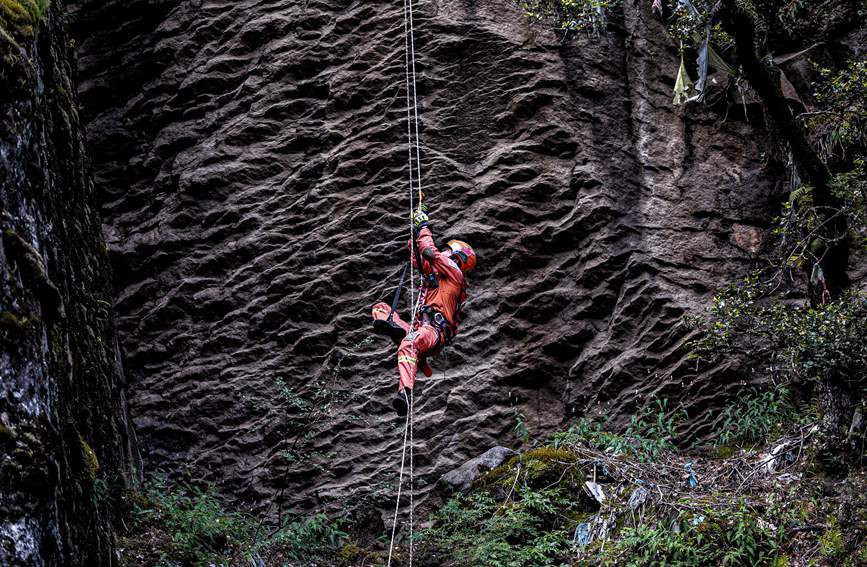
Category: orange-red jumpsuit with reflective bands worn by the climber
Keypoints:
(427, 337)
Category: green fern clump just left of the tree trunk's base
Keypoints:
(754, 416)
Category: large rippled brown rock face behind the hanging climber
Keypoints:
(253, 160)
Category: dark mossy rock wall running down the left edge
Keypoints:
(66, 443)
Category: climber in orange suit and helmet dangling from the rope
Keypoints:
(437, 321)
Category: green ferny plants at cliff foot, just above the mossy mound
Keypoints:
(650, 432)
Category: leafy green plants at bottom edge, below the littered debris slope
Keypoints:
(729, 536)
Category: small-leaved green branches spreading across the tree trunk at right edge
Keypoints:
(798, 342)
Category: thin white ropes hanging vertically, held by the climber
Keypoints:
(415, 302)
